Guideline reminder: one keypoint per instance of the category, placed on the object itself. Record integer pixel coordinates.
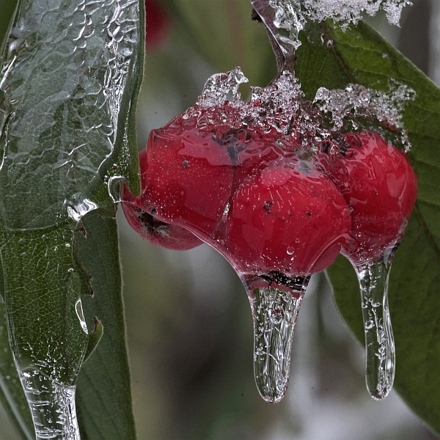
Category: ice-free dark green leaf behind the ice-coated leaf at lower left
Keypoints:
(104, 395)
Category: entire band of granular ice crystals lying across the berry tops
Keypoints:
(281, 111)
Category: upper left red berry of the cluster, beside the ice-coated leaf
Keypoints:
(186, 176)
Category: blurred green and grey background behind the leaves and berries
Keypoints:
(188, 319)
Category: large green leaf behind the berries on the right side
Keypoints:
(332, 58)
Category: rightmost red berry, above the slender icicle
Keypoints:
(380, 188)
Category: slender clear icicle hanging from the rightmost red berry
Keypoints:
(379, 340)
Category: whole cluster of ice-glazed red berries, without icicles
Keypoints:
(268, 204)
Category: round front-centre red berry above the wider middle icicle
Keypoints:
(287, 221)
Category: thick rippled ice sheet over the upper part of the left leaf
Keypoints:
(64, 75)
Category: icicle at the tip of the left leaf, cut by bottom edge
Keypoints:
(52, 406)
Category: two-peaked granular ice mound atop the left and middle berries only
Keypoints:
(278, 109)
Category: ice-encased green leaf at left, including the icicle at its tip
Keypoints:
(65, 72)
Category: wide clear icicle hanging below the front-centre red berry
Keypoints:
(275, 309)
